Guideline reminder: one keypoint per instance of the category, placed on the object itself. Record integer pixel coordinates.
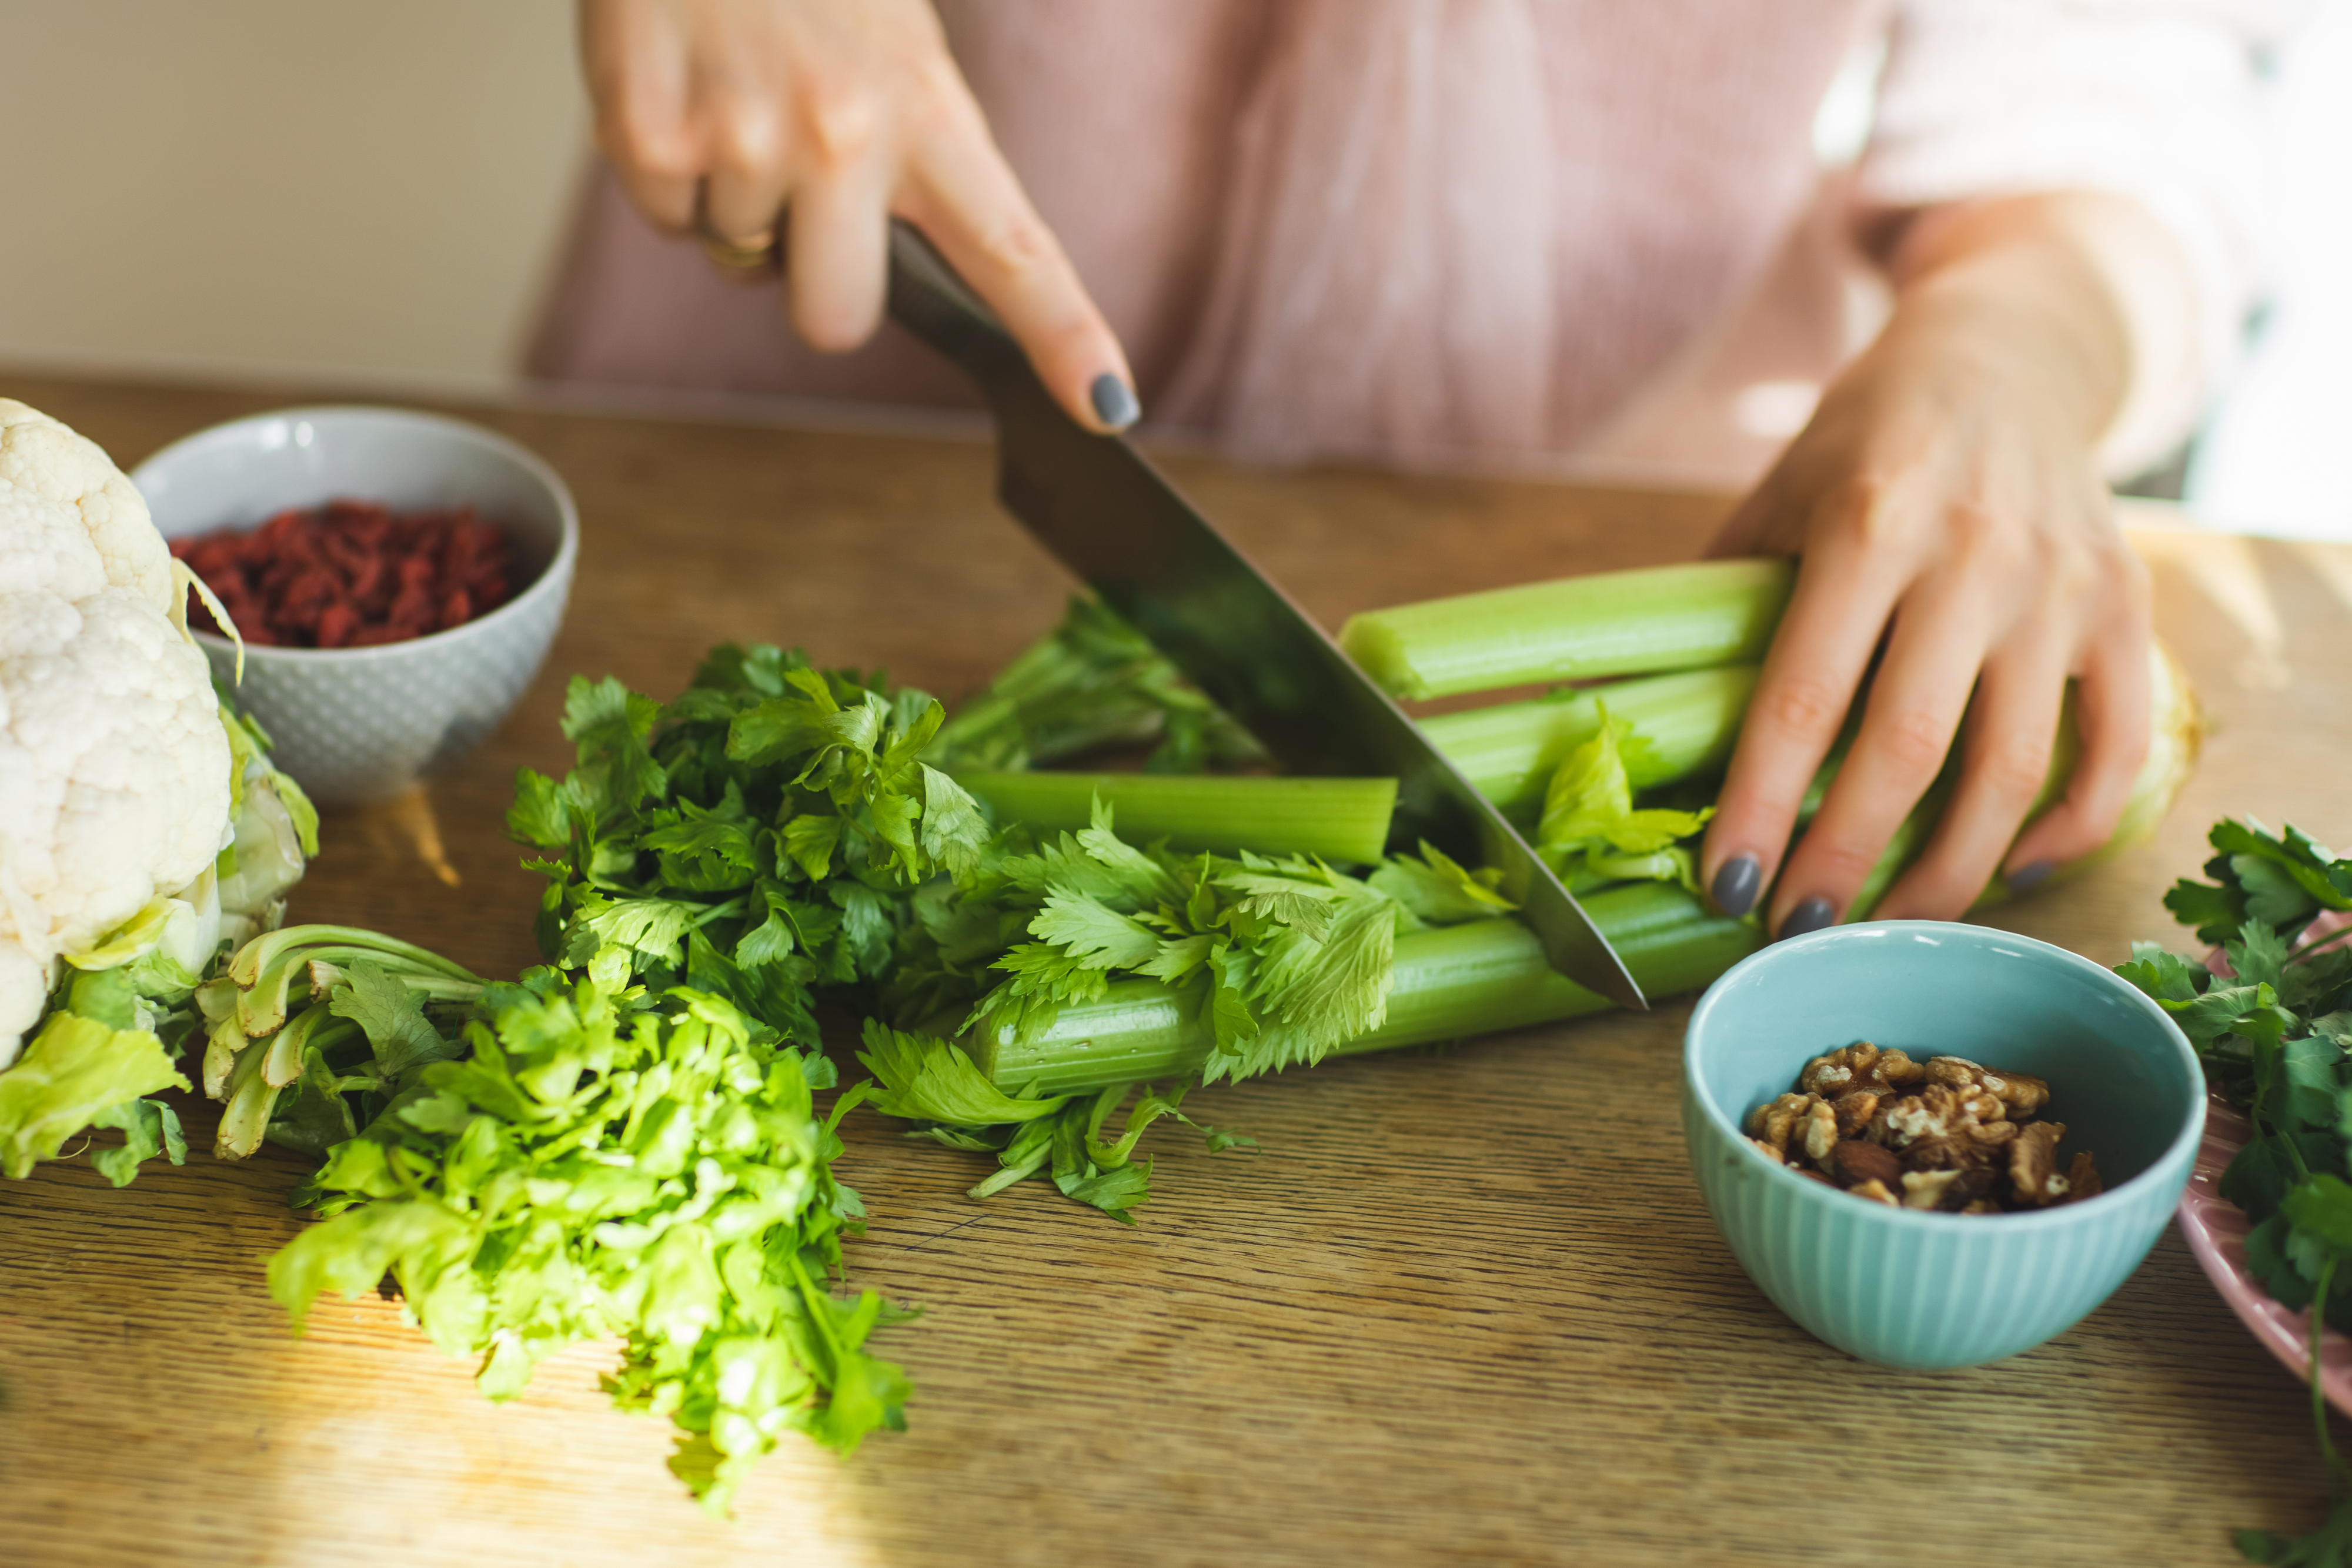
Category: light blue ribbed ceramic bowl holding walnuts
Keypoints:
(1937, 1289)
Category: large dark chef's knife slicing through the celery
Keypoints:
(1100, 507)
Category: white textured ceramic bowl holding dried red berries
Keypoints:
(370, 723)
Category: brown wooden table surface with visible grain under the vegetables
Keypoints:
(1459, 1308)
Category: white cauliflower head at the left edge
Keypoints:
(114, 768)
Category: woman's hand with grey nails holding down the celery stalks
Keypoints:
(1946, 507)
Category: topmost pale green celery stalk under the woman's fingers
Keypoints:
(1575, 629)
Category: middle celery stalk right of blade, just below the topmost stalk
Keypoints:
(1511, 751)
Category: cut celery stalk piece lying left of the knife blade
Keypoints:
(1339, 819)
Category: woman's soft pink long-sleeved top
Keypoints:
(1492, 232)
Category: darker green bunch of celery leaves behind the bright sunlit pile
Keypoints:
(754, 838)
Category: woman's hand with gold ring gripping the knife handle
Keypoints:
(846, 112)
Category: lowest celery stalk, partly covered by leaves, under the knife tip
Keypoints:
(1452, 981)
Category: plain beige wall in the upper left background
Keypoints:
(328, 189)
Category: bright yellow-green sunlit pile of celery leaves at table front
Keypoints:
(646, 1170)
